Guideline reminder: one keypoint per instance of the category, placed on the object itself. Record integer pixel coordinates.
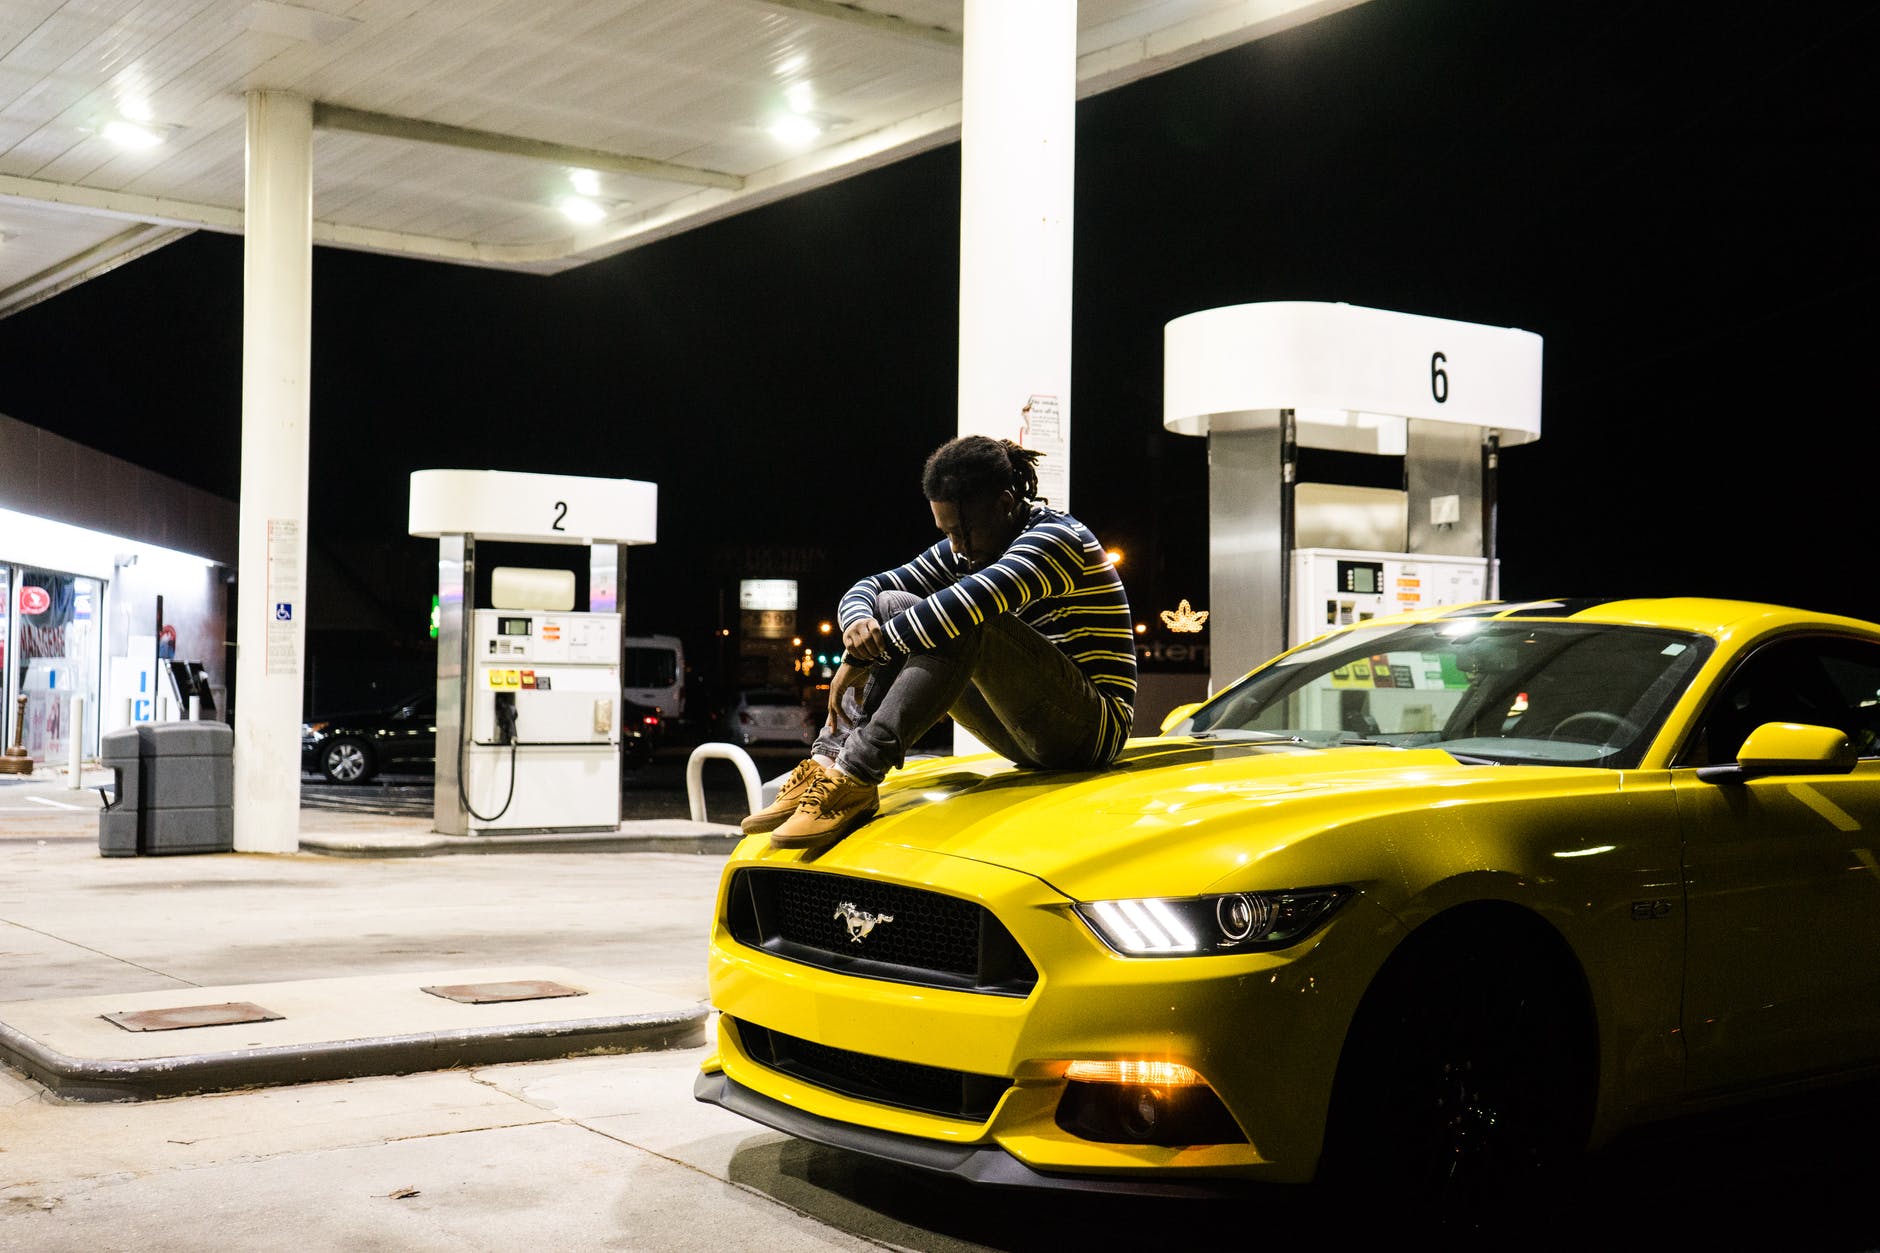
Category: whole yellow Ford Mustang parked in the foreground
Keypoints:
(1433, 902)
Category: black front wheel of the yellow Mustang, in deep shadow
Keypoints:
(1465, 1088)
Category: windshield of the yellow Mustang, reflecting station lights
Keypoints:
(1496, 691)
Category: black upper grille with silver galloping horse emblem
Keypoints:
(877, 930)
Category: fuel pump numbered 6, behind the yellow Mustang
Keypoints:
(1428, 402)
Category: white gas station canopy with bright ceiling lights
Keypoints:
(514, 135)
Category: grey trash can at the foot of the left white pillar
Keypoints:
(176, 795)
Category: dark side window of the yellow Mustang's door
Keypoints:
(1815, 680)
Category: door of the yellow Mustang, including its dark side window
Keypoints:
(1783, 878)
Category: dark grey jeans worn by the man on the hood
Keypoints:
(1001, 680)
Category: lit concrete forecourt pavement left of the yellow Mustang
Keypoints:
(599, 1150)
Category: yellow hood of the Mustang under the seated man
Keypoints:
(1180, 816)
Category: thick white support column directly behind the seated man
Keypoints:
(1016, 185)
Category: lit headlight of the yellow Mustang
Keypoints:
(1210, 925)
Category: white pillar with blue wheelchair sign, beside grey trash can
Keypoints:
(272, 605)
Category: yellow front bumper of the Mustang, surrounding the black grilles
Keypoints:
(1262, 1030)
